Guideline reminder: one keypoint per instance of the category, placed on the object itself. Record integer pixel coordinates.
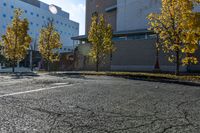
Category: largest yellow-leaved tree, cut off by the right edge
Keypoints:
(178, 29)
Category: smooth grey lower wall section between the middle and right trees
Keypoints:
(139, 55)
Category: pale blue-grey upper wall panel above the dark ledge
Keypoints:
(131, 14)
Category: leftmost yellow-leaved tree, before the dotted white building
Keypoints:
(16, 40)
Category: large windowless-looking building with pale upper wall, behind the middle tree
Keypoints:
(134, 42)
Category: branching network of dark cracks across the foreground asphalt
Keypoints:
(154, 118)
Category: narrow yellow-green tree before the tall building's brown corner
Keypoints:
(100, 36)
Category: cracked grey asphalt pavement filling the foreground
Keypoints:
(96, 104)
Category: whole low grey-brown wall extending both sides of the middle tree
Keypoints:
(130, 55)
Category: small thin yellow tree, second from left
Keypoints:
(49, 43)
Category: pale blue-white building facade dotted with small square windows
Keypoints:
(38, 14)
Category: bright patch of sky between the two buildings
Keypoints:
(76, 8)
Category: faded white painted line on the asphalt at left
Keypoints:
(36, 90)
